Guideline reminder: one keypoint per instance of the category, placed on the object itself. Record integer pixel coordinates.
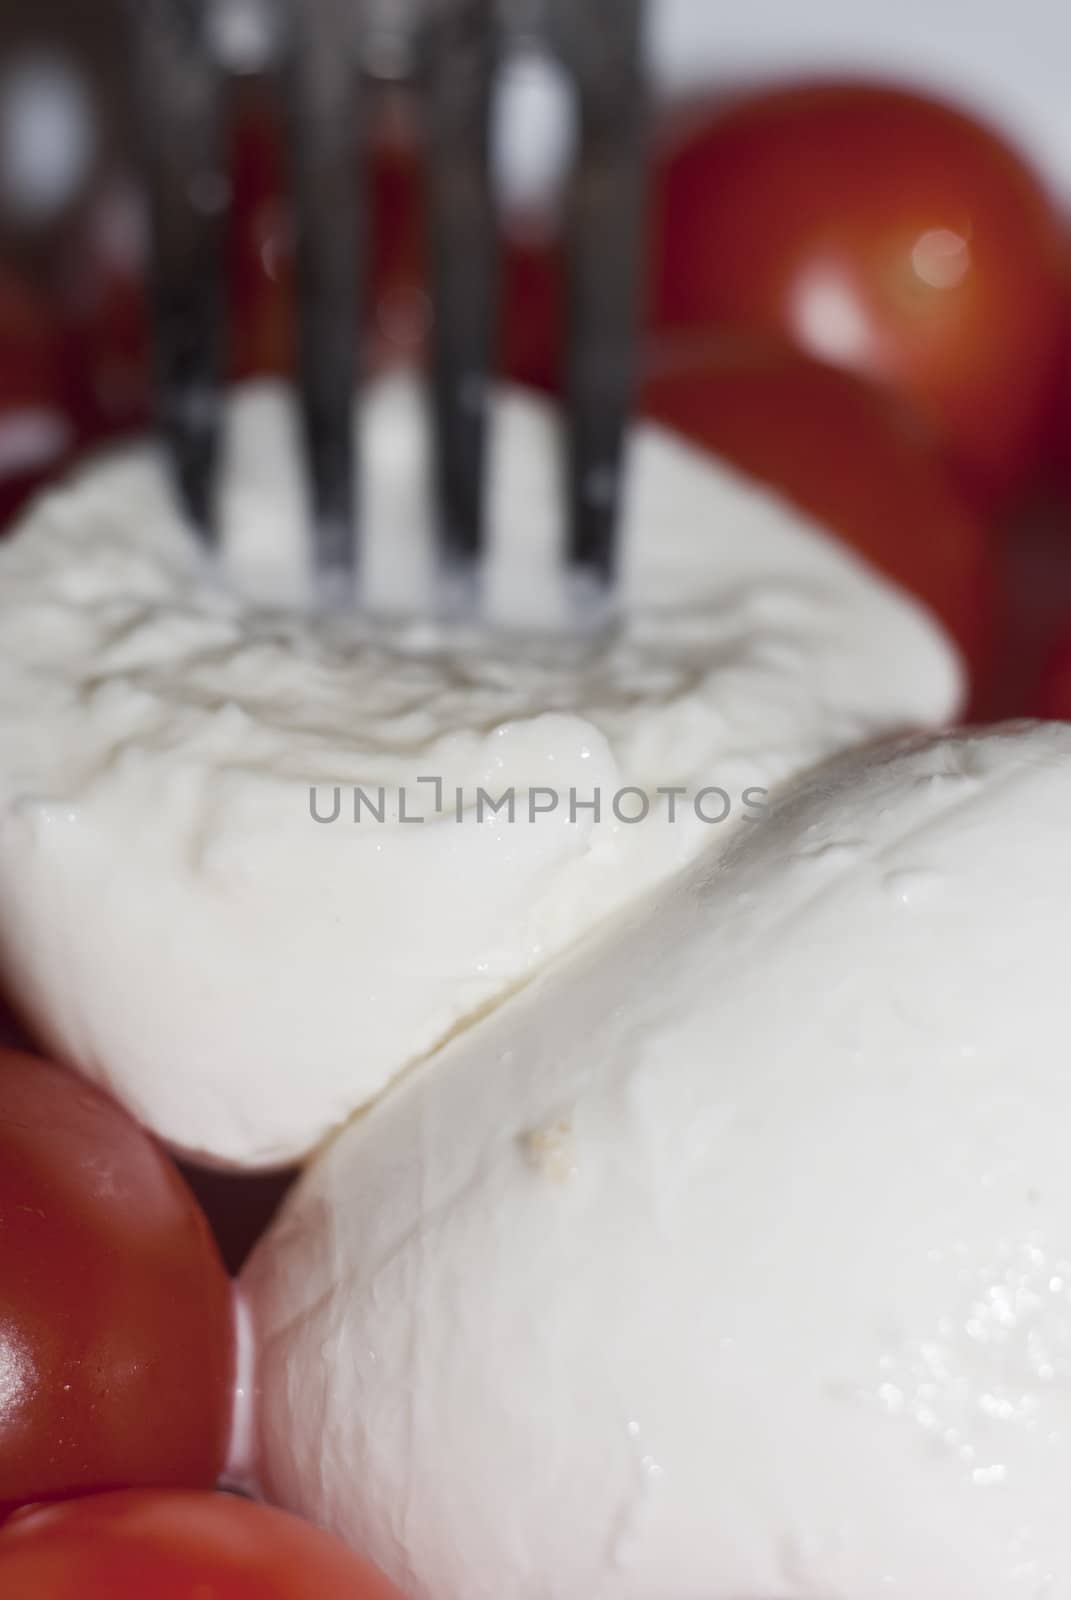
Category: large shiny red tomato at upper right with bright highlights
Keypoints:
(881, 231)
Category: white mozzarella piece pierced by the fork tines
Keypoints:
(246, 977)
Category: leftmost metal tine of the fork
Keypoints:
(180, 90)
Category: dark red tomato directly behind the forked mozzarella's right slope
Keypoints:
(851, 455)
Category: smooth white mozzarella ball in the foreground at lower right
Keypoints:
(732, 1260)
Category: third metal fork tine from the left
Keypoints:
(462, 54)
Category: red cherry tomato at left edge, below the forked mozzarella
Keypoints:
(116, 1319)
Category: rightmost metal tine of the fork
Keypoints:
(601, 44)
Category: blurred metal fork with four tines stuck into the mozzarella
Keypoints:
(327, 89)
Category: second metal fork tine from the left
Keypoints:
(323, 92)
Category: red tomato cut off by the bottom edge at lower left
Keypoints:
(177, 1546)
